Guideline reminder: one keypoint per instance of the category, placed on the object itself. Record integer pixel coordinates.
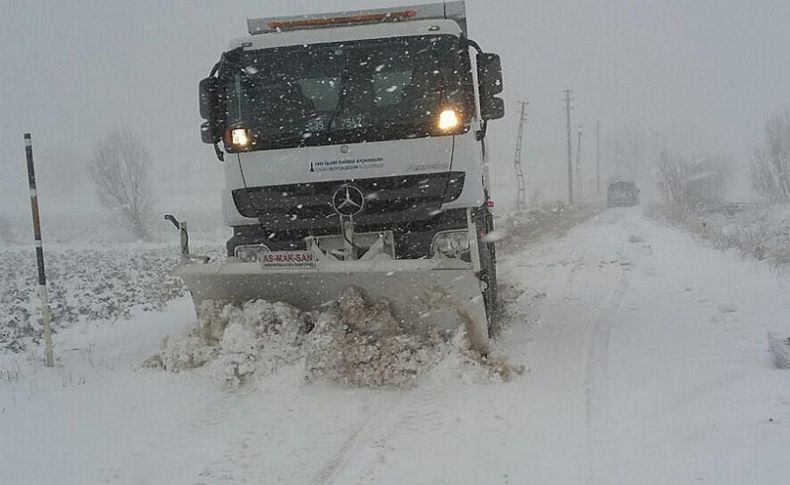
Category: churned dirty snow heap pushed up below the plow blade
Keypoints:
(353, 342)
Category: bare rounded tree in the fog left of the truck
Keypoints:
(120, 169)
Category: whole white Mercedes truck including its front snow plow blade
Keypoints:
(355, 154)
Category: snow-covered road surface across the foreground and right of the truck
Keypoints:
(647, 357)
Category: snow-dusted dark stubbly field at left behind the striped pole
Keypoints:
(100, 284)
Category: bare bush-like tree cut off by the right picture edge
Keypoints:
(770, 168)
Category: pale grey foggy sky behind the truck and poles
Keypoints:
(694, 76)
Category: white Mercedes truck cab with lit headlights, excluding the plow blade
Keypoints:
(392, 102)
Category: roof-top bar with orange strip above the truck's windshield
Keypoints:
(446, 10)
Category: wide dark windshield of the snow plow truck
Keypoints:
(347, 92)
